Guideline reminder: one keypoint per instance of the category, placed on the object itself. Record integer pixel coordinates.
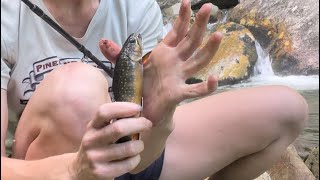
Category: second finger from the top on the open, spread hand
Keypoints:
(194, 37)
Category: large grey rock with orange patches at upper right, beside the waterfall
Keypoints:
(289, 30)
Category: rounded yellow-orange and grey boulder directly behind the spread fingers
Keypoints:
(235, 59)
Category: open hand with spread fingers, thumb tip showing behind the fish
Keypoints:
(172, 62)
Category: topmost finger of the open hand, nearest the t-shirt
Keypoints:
(181, 25)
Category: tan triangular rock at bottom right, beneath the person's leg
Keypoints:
(290, 167)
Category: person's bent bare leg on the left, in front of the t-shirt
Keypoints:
(57, 114)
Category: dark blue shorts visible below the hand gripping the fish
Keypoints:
(150, 173)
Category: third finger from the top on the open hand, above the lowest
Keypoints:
(203, 56)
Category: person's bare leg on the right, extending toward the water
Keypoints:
(233, 135)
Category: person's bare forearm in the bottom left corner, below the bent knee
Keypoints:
(56, 167)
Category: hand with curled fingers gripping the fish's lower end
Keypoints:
(99, 157)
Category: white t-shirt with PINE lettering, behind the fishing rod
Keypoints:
(30, 48)
